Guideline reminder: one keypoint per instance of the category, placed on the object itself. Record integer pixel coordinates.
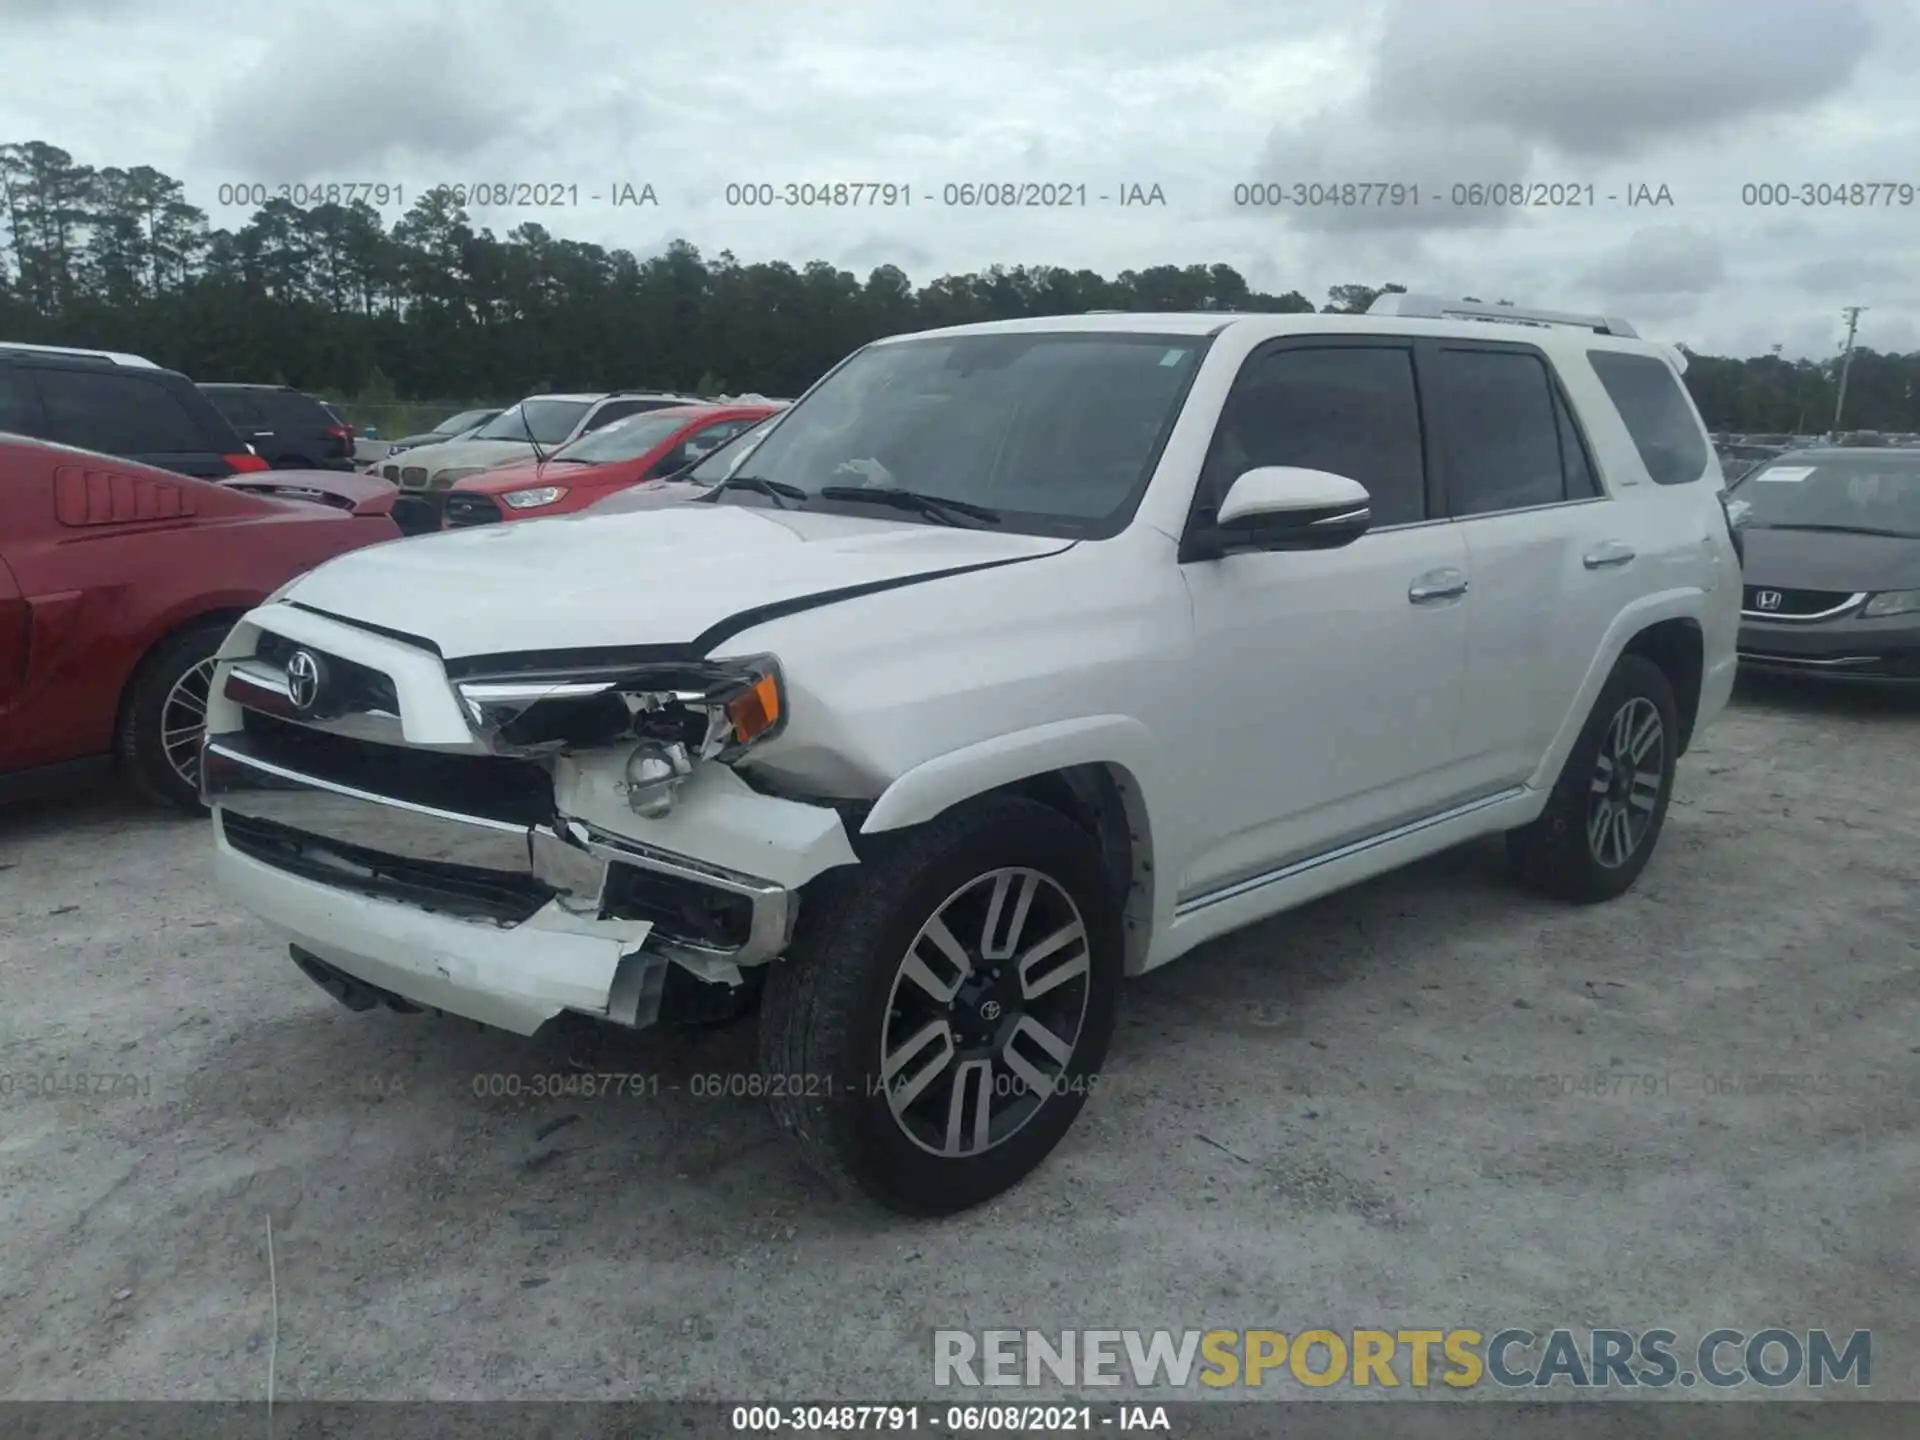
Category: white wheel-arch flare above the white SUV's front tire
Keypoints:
(946, 780)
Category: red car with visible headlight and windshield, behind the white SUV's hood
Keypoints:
(596, 466)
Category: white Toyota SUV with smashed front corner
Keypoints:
(1011, 661)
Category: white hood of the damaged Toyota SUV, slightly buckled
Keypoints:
(640, 579)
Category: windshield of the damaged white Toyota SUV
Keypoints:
(1057, 433)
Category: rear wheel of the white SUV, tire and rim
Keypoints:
(1610, 804)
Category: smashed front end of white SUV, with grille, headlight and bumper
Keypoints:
(504, 840)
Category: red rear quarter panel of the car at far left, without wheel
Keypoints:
(105, 588)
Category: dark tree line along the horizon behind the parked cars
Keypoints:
(431, 306)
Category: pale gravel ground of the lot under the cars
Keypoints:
(1431, 1101)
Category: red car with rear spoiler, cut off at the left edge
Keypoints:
(118, 585)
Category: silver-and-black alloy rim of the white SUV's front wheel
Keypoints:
(986, 1013)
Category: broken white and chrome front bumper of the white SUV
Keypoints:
(479, 907)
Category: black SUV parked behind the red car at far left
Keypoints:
(120, 406)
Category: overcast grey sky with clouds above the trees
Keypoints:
(1195, 97)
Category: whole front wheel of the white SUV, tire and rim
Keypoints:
(948, 1005)
